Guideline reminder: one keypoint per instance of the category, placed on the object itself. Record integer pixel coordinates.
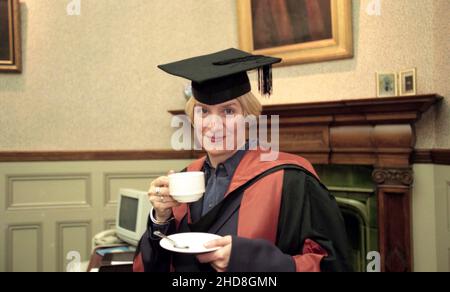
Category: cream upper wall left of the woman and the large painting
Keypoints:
(91, 82)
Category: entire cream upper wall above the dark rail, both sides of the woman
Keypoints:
(90, 81)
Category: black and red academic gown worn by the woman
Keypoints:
(280, 216)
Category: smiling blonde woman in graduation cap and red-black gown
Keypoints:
(272, 215)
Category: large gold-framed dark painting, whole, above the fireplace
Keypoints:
(299, 31)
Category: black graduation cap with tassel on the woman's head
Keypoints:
(222, 76)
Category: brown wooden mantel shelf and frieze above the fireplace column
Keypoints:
(377, 131)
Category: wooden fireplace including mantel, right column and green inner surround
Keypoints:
(368, 141)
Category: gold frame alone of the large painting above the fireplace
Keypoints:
(339, 45)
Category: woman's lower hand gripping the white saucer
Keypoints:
(220, 258)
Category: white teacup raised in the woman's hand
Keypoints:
(187, 187)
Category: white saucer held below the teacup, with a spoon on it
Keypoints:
(194, 240)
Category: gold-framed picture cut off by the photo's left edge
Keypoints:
(10, 46)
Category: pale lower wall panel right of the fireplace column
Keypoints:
(431, 218)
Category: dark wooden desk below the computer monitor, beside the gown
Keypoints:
(117, 258)
